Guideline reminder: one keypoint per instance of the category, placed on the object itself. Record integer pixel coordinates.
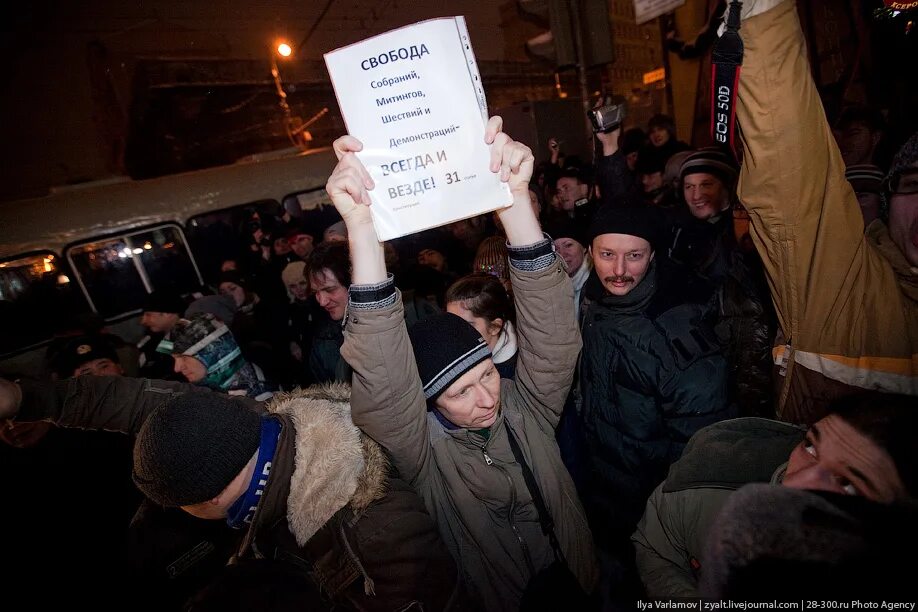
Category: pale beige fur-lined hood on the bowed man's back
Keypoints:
(335, 463)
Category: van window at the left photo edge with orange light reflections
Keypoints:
(37, 299)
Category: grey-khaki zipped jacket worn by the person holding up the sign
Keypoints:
(471, 484)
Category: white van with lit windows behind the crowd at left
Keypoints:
(102, 247)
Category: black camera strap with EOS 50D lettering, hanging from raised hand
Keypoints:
(726, 59)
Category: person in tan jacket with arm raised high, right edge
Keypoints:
(846, 299)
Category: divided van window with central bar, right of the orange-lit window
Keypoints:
(118, 272)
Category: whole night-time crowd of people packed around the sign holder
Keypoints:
(588, 398)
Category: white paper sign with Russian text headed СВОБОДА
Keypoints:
(413, 97)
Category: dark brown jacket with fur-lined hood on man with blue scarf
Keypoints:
(329, 507)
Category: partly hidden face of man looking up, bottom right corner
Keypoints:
(838, 458)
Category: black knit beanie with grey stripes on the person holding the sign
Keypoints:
(445, 348)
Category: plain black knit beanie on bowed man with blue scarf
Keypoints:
(190, 448)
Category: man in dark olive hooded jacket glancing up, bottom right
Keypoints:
(862, 449)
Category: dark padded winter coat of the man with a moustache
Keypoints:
(649, 379)
